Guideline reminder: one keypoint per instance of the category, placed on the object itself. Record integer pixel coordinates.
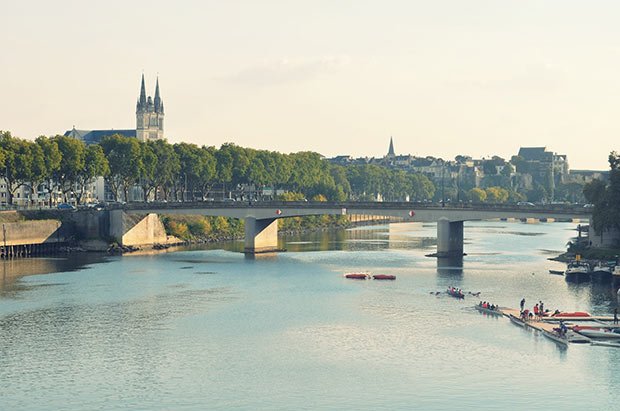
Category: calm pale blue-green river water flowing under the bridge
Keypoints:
(211, 329)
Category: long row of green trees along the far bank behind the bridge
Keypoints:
(183, 171)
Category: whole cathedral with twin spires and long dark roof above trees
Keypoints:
(149, 121)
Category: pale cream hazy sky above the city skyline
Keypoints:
(442, 77)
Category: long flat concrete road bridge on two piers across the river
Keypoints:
(261, 218)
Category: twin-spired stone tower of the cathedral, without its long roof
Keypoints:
(149, 115)
